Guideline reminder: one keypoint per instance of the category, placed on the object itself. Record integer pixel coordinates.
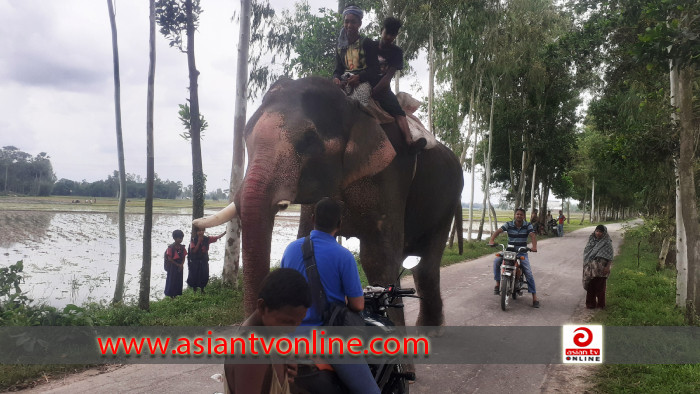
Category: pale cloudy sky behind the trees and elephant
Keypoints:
(57, 87)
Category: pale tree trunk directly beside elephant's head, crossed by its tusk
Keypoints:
(233, 228)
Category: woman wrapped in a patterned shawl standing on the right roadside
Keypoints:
(597, 261)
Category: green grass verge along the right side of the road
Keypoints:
(639, 295)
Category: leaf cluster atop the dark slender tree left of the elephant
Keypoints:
(172, 19)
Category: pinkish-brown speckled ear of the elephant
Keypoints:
(368, 150)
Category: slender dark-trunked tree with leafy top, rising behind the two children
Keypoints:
(175, 17)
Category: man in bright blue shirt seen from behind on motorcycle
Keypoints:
(340, 280)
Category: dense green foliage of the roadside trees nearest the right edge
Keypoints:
(630, 139)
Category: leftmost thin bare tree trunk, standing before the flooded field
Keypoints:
(119, 283)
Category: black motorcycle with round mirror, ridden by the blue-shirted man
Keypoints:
(391, 376)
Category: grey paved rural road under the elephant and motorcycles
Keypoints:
(467, 290)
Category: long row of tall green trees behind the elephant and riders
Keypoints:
(506, 80)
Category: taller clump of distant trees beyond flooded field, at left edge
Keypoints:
(23, 174)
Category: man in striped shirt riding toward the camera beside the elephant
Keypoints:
(518, 230)
